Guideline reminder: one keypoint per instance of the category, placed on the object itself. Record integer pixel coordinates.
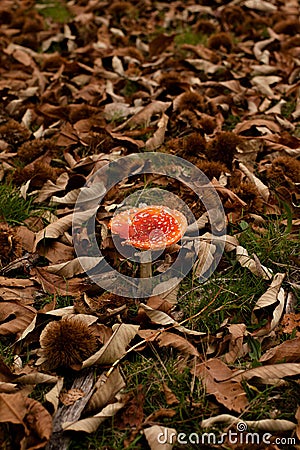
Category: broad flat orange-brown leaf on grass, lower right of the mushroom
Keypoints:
(229, 392)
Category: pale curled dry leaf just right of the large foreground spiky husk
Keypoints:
(115, 347)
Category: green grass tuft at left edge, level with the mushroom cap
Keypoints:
(14, 209)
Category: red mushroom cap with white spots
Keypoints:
(149, 228)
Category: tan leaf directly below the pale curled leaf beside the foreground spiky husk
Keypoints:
(105, 390)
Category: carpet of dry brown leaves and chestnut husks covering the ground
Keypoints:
(216, 85)
